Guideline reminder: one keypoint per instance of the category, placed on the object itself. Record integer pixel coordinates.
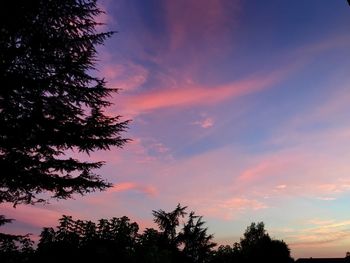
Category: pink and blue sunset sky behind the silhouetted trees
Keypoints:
(240, 110)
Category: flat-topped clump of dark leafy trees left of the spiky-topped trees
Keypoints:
(86, 241)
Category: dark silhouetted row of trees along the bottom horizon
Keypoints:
(180, 237)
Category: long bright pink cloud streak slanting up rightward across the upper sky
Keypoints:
(171, 93)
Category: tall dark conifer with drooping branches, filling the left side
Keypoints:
(50, 101)
